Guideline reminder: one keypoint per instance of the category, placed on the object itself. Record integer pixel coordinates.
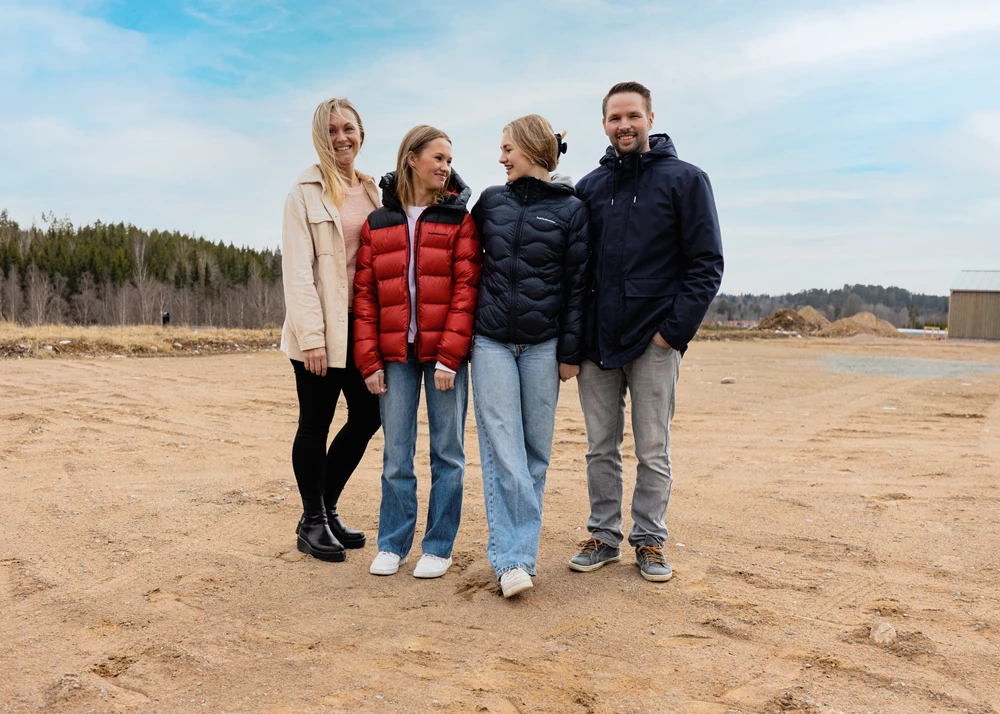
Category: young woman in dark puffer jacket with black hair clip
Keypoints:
(528, 336)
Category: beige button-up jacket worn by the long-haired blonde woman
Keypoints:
(314, 269)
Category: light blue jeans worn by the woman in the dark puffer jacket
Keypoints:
(515, 388)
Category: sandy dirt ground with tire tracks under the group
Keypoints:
(148, 561)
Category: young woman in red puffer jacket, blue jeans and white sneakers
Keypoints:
(415, 298)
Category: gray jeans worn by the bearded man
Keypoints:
(651, 380)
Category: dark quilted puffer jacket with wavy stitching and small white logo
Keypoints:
(535, 254)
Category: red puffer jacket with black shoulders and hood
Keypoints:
(448, 260)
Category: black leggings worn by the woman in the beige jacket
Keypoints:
(321, 476)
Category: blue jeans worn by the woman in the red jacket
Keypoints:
(446, 413)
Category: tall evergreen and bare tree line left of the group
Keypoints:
(117, 274)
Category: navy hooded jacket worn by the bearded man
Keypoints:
(657, 252)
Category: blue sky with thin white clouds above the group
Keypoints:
(847, 142)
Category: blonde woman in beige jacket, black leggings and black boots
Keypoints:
(320, 235)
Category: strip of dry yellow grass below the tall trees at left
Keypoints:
(137, 340)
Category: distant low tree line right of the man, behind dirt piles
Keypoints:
(896, 305)
